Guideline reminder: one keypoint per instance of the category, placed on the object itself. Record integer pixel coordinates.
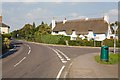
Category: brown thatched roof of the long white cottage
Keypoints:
(82, 26)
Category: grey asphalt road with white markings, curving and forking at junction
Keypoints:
(33, 60)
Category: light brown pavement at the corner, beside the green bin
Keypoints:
(85, 66)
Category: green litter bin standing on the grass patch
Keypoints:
(104, 56)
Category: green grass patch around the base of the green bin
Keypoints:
(113, 59)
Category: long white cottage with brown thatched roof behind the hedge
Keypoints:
(93, 28)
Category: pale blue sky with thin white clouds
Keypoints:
(17, 14)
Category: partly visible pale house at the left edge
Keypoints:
(3, 27)
